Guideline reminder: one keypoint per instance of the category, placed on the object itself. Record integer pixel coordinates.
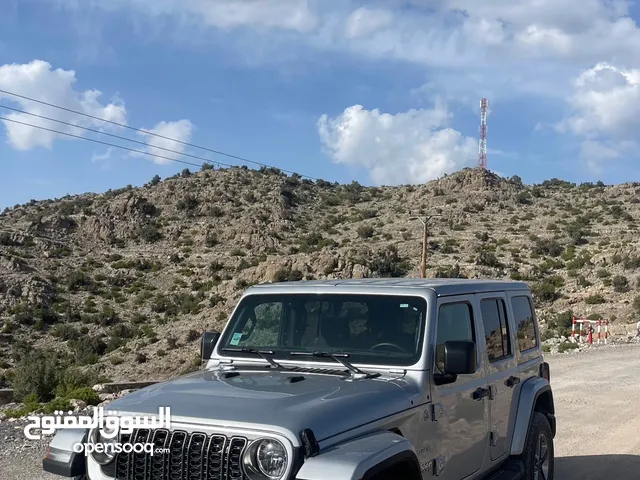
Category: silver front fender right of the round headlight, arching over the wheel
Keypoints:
(360, 458)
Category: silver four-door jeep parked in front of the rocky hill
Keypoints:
(348, 379)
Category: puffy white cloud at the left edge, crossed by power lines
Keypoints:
(38, 80)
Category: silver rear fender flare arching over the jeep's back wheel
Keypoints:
(530, 391)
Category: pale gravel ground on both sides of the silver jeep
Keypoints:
(597, 397)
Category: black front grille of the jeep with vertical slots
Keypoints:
(190, 456)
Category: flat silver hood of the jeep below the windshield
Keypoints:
(328, 404)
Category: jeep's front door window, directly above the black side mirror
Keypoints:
(455, 322)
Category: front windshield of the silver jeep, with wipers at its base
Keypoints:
(371, 329)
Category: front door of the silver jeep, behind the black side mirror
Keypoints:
(461, 412)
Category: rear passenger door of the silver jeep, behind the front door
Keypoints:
(501, 368)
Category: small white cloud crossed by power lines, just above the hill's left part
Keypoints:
(175, 132)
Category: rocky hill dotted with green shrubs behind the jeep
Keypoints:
(122, 283)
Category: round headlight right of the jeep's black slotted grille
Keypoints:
(266, 459)
